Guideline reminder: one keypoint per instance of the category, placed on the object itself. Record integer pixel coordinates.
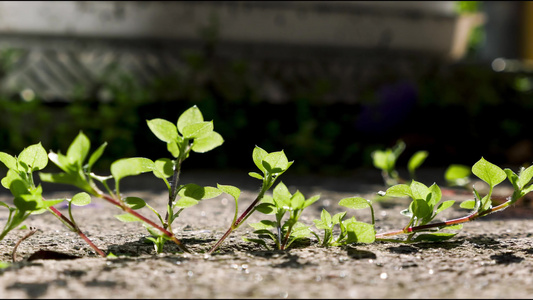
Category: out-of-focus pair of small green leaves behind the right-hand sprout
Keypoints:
(385, 160)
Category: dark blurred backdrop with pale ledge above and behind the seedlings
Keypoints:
(327, 81)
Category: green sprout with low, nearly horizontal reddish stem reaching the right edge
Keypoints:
(480, 206)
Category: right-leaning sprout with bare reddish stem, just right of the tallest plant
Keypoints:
(272, 165)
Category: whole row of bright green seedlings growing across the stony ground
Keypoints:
(192, 134)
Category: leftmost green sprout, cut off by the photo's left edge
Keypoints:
(28, 197)
